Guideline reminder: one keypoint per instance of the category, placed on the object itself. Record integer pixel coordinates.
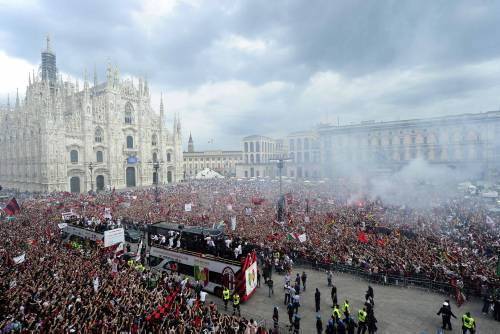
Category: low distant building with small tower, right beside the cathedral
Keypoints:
(223, 162)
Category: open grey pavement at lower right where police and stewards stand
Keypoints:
(398, 310)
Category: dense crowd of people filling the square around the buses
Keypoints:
(53, 289)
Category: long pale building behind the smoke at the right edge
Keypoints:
(468, 141)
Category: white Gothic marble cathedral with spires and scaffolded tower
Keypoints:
(63, 137)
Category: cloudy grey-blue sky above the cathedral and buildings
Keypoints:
(235, 68)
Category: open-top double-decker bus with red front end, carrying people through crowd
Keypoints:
(189, 254)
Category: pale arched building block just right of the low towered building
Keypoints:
(257, 153)
